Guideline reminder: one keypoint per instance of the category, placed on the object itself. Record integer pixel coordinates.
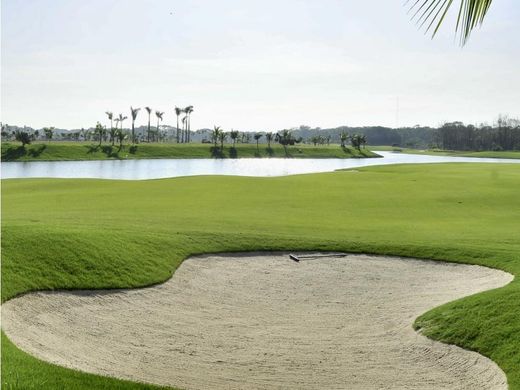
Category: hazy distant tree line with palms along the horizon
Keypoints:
(504, 134)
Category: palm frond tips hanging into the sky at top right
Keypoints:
(431, 13)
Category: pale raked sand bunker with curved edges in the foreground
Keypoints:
(264, 322)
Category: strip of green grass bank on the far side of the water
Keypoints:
(55, 151)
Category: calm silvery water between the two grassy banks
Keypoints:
(162, 168)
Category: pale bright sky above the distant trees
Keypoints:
(252, 65)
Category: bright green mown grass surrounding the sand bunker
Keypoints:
(59, 233)
